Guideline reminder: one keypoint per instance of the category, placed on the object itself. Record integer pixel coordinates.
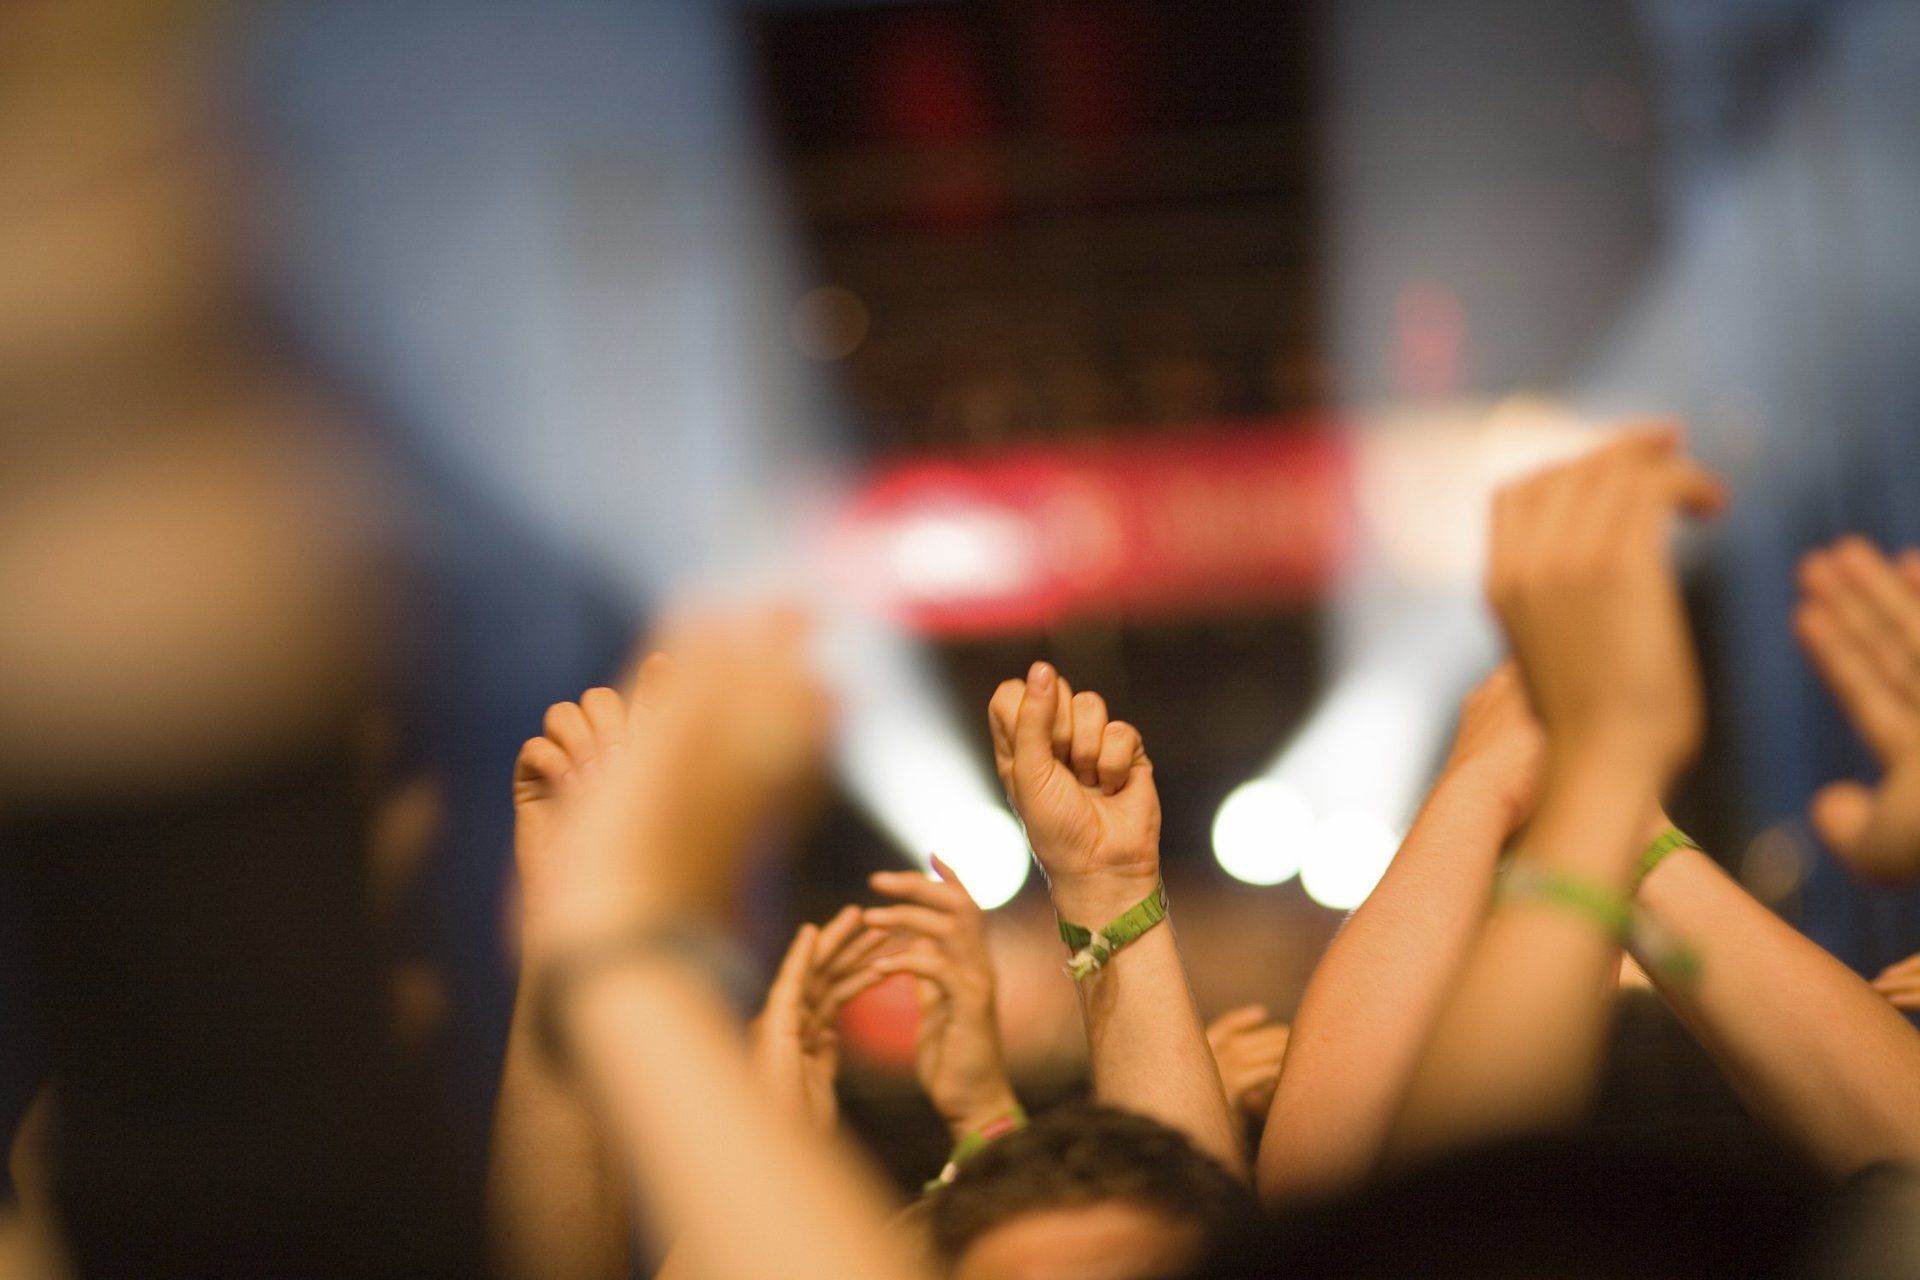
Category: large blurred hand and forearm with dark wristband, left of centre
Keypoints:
(744, 1185)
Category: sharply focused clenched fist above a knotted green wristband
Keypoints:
(1084, 788)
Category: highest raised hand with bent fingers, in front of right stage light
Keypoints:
(1583, 581)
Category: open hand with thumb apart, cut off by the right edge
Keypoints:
(1860, 621)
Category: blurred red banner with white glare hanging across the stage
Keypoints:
(1026, 538)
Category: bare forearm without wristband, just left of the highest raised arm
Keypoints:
(1376, 995)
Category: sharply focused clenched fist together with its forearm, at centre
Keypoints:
(1084, 788)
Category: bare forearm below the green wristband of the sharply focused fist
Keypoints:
(1149, 1045)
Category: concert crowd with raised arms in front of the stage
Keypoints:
(1556, 1041)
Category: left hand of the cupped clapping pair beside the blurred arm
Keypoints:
(796, 1045)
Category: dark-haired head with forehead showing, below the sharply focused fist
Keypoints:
(1088, 1177)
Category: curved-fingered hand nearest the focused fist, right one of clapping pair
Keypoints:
(959, 1058)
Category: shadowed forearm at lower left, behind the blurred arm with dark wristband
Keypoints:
(558, 1206)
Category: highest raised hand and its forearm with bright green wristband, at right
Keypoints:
(1583, 582)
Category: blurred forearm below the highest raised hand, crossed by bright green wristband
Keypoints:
(1520, 1041)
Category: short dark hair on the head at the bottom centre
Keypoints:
(1086, 1154)
